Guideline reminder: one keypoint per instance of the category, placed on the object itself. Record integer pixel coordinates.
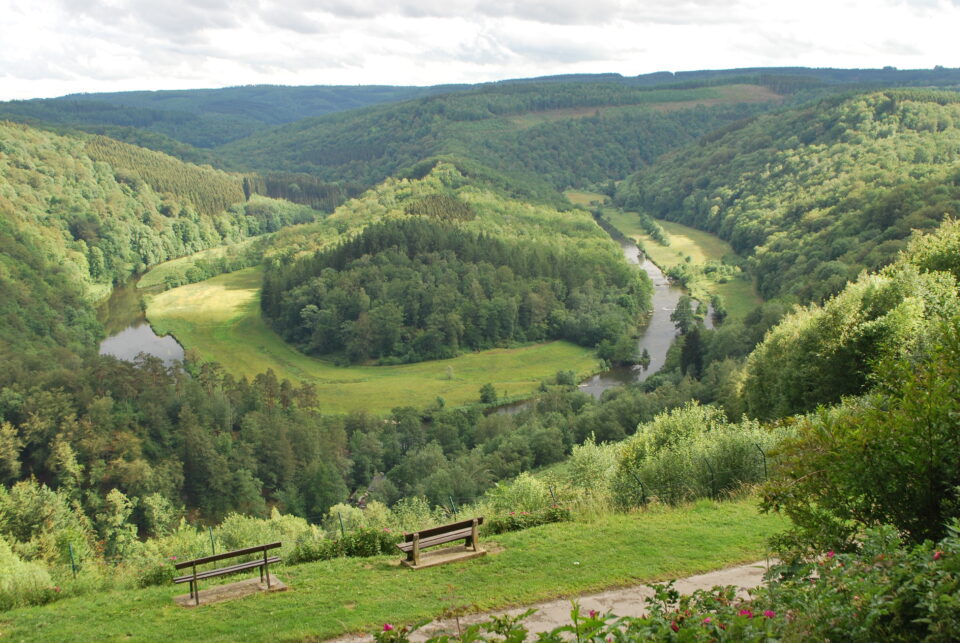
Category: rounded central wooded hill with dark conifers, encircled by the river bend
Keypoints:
(443, 264)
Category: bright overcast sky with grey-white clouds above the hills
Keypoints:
(55, 47)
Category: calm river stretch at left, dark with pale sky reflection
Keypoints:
(129, 334)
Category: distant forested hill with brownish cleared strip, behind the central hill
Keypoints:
(549, 134)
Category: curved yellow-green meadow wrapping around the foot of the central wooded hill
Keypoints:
(220, 320)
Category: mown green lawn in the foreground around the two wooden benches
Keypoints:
(358, 595)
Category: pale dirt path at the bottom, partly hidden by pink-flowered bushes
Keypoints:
(628, 601)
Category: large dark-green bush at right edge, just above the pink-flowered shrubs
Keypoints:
(890, 458)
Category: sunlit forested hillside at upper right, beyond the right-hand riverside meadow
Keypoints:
(818, 194)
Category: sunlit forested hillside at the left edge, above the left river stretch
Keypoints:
(79, 214)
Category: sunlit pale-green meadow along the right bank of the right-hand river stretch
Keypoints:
(739, 295)
